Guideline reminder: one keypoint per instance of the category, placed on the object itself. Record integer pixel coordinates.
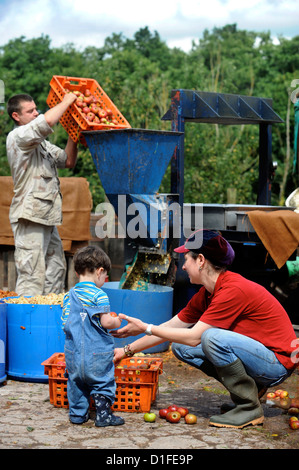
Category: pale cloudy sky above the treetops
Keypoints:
(178, 22)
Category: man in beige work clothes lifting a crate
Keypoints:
(36, 207)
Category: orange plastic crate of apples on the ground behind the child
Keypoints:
(136, 382)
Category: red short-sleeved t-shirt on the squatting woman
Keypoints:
(245, 307)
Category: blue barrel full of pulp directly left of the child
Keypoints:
(34, 333)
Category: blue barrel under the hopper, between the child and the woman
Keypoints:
(151, 306)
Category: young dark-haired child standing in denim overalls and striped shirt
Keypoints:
(89, 348)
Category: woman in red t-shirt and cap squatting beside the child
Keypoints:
(233, 329)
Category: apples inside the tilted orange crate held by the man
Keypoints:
(91, 108)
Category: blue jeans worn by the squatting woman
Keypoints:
(220, 348)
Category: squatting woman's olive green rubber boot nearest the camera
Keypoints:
(244, 394)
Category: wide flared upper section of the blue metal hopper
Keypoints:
(131, 161)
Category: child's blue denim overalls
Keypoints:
(89, 353)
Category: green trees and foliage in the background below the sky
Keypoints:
(138, 74)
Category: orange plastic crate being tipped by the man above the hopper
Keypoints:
(74, 120)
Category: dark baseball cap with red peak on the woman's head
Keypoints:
(211, 244)
